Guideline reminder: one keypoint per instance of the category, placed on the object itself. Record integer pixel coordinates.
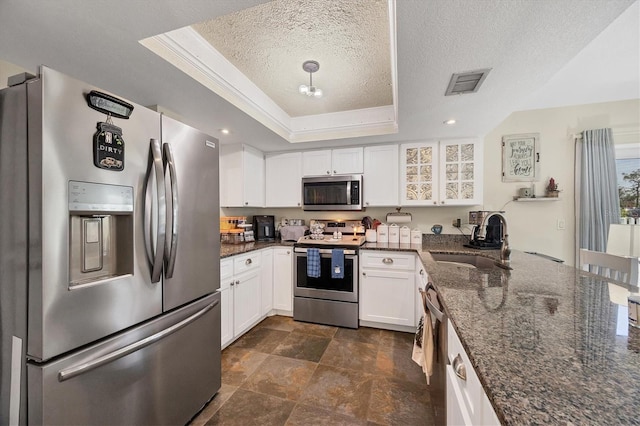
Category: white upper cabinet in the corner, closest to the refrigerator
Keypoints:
(242, 176)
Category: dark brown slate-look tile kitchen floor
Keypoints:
(285, 372)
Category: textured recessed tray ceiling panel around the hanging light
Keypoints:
(349, 38)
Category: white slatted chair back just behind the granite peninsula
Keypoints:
(619, 268)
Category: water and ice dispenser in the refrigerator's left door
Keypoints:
(101, 232)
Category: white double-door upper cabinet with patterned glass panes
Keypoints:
(441, 173)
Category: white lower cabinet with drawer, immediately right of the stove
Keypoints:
(387, 288)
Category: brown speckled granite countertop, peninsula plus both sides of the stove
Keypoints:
(546, 340)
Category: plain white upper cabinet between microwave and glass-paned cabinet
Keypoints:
(381, 175)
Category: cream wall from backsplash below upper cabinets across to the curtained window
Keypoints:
(532, 226)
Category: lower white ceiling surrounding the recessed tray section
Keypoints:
(538, 50)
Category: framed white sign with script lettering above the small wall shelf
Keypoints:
(521, 157)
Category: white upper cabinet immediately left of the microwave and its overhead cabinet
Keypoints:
(283, 180)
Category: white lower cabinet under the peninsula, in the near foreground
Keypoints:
(467, 403)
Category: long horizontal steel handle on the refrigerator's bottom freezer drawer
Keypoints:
(76, 370)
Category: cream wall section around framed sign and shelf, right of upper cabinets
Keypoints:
(533, 226)
